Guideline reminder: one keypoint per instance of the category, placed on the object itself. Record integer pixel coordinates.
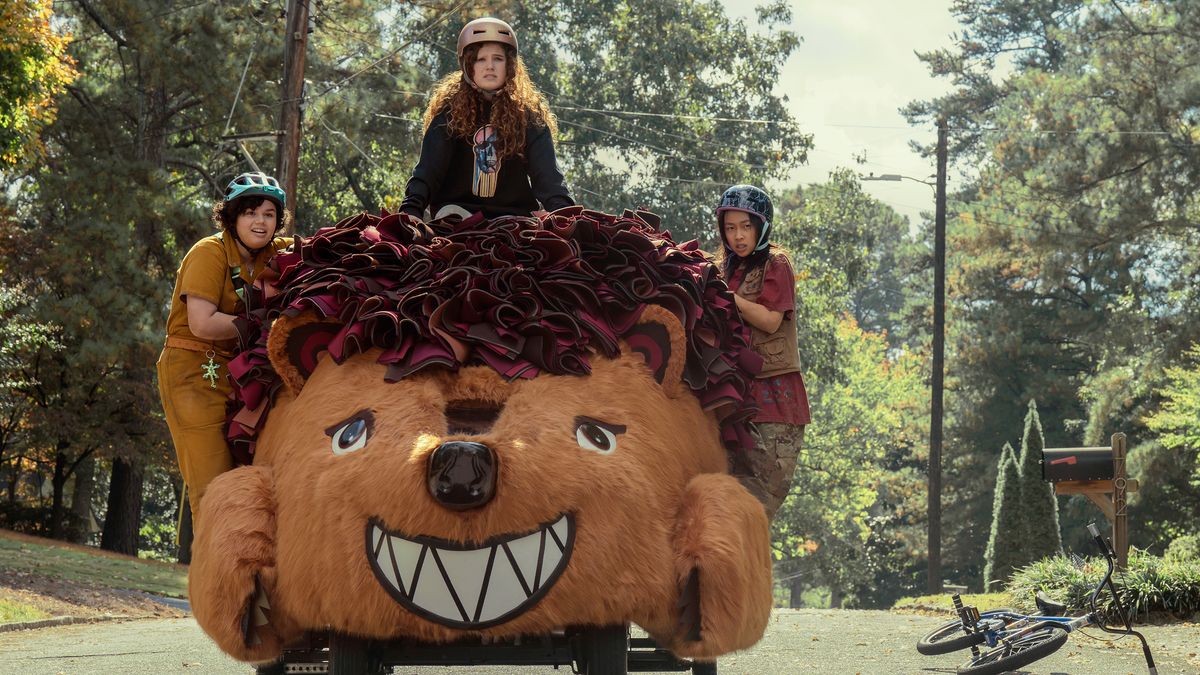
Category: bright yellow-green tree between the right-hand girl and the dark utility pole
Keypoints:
(853, 519)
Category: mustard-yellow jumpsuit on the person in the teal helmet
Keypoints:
(195, 409)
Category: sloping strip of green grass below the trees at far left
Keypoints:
(57, 560)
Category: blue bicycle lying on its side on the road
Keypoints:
(1006, 640)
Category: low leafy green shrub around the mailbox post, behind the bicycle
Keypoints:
(1151, 586)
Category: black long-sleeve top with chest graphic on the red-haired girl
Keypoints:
(470, 175)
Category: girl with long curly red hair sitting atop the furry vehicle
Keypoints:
(489, 136)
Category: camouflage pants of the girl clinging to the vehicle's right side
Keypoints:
(767, 470)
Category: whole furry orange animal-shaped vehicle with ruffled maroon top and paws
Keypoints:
(484, 433)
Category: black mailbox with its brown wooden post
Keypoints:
(1100, 475)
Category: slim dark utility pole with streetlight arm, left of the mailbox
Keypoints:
(935, 407)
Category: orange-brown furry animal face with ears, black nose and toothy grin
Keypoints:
(473, 503)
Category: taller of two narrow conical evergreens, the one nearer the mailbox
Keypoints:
(1040, 506)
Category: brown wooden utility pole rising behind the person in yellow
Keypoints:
(287, 153)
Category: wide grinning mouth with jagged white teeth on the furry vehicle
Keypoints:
(471, 586)
